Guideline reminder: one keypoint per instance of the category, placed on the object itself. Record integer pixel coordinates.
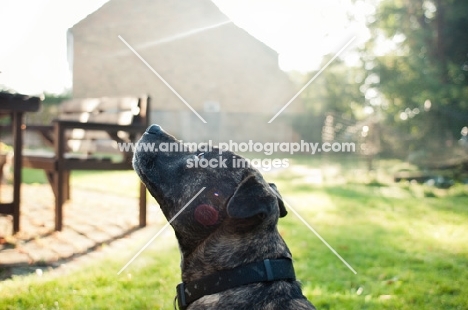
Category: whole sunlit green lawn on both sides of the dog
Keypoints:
(407, 242)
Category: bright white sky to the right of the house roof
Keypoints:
(300, 31)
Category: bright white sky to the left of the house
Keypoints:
(35, 58)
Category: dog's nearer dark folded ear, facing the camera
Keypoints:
(251, 198)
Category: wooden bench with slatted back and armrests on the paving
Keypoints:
(86, 137)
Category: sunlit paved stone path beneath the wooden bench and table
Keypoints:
(91, 219)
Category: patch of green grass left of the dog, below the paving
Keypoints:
(145, 285)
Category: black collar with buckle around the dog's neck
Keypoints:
(264, 271)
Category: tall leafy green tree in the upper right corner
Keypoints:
(423, 76)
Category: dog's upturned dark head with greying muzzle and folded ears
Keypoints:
(235, 197)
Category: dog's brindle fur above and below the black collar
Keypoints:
(244, 232)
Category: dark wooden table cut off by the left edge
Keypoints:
(16, 105)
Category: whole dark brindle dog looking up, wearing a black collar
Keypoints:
(232, 255)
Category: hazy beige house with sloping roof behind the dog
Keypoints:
(230, 78)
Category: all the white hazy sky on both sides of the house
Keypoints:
(33, 55)
